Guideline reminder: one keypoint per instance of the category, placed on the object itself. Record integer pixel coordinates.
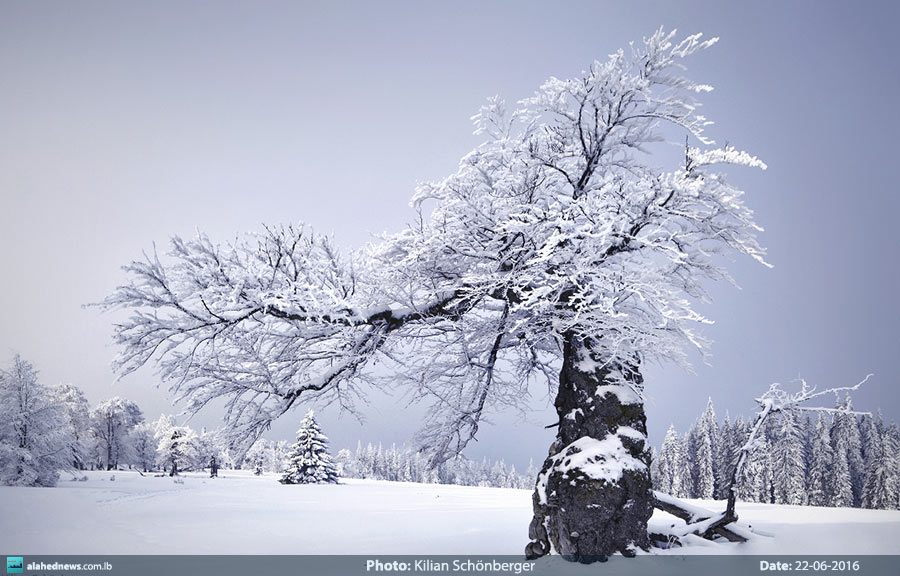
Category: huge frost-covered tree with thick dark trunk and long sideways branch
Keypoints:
(560, 248)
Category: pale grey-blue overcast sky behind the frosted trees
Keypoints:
(122, 124)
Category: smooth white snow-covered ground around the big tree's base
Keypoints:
(243, 514)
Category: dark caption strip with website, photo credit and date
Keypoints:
(444, 565)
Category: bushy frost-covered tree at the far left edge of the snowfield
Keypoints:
(34, 444)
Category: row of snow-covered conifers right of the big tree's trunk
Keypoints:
(828, 459)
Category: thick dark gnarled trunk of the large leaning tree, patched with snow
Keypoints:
(593, 495)
